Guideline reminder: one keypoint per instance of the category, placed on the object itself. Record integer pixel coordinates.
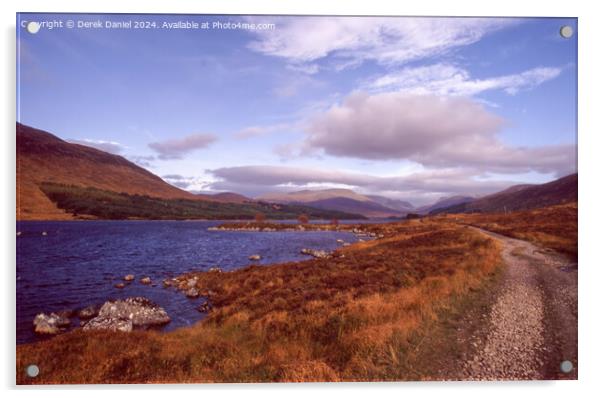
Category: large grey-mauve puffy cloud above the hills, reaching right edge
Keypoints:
(430, 130)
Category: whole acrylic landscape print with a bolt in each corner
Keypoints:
(213, 198)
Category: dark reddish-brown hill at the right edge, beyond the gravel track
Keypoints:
(522, 197)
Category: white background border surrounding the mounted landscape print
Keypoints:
(589, 192)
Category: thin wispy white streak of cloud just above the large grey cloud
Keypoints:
(449, 80)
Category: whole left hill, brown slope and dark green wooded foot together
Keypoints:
(57, 180)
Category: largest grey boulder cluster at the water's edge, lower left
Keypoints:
(128, 313)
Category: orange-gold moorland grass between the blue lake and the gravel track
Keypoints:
(353, 317)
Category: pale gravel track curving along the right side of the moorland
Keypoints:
(532, 327)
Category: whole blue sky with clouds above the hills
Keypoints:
(406, 107)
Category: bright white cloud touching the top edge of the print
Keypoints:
(385, 40)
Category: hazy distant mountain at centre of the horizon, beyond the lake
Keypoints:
(338, 199)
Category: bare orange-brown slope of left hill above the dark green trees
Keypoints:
(43, 157)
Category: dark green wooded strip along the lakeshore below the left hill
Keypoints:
(103, 204)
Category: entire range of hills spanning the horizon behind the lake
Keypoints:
(57, 179)
